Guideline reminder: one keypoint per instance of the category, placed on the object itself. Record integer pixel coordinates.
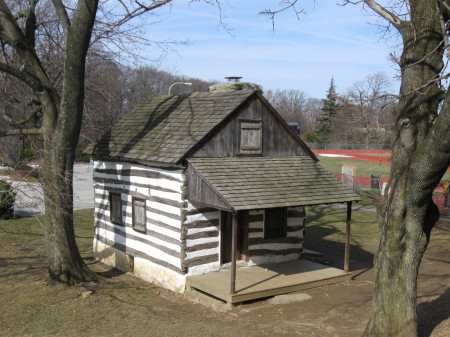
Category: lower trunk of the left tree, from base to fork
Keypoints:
(64, 261)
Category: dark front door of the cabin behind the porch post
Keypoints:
(226, 236)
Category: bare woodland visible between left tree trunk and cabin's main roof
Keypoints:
(114, 90)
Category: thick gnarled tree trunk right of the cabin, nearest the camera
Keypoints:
(420, 157)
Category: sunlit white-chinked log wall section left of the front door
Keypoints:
(202, 238)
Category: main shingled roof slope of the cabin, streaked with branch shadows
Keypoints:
(165, 128)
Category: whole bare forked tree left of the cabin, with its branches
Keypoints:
(60, 92)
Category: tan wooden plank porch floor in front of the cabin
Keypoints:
(267, 280)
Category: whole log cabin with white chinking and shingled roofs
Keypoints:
(196, 184)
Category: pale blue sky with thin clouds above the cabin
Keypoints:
(328, 41)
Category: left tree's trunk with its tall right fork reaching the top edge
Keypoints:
(62, 123)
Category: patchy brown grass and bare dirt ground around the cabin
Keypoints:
(122, 305)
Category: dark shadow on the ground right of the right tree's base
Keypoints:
(429, 318)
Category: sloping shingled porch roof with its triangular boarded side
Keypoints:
(259, 183)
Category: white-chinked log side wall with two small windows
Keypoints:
(162, 191)
